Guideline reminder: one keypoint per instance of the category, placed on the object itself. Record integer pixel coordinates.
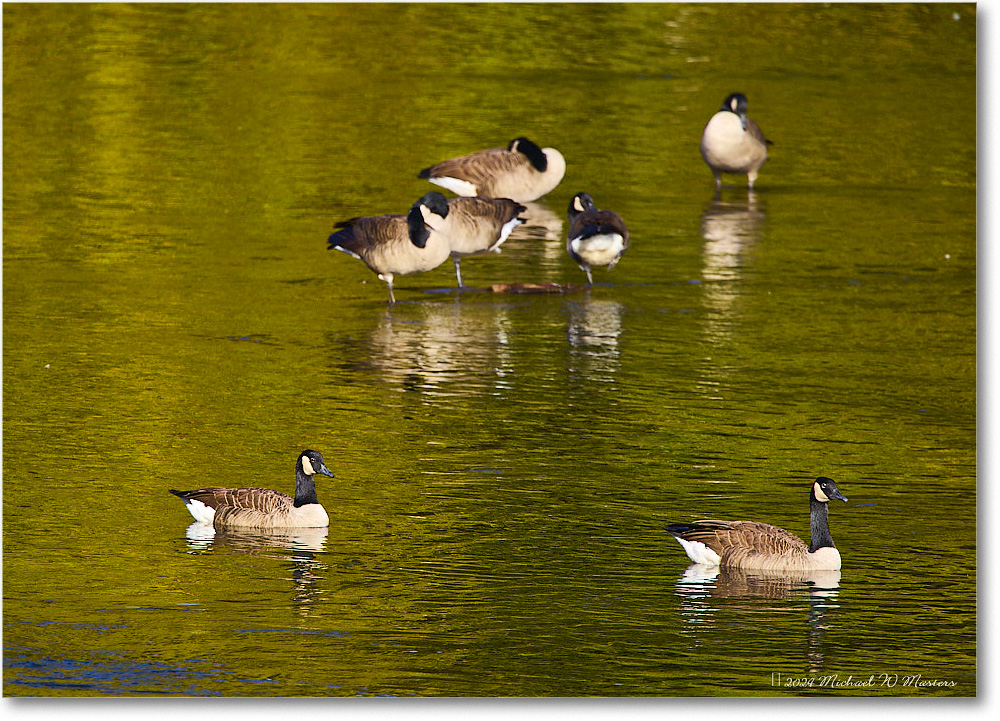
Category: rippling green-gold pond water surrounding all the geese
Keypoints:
(505, 463)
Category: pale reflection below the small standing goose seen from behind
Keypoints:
(595, 326)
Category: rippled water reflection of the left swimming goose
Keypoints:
(303, 543)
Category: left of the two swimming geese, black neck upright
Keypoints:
(262, 507)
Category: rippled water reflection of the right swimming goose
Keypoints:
(707, 591)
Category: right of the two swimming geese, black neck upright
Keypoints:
(750, 545)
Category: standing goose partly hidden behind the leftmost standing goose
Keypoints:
(476, 225)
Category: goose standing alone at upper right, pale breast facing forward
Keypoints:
(733, 143)
